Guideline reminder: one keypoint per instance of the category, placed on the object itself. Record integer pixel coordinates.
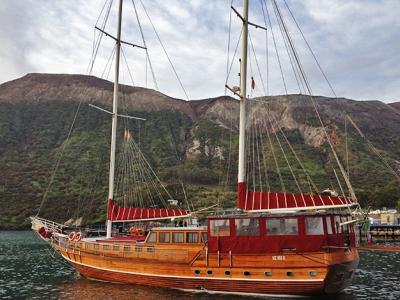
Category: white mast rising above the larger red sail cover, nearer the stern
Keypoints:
(243, 82)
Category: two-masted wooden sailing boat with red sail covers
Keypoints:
(277, 243)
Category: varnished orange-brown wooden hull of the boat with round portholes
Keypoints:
(334, 271)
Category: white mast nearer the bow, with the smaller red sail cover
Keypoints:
(114, 118)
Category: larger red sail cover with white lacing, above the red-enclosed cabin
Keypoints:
(279, 202)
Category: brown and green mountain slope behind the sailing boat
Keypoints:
(192, 141)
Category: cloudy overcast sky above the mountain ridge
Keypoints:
(357, 43)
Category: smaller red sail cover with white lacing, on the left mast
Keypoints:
(122, 213)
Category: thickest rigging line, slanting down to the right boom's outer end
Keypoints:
(350, 187)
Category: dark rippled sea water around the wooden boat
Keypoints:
(29, 269)
